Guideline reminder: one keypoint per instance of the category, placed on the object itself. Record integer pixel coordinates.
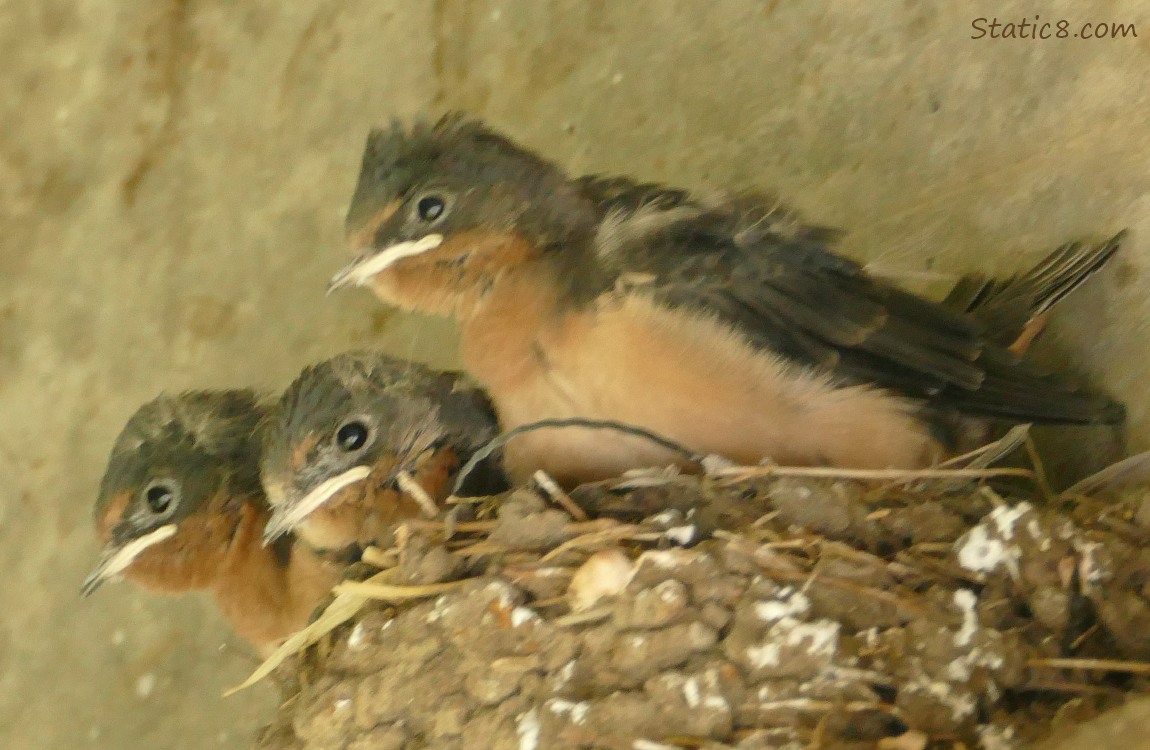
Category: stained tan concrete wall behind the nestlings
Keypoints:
(173, 178)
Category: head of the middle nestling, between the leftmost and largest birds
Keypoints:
(339, 440)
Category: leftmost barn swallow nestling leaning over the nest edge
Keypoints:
(181, 509)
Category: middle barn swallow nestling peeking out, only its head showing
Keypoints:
(350, 431)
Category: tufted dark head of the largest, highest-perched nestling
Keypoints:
(441, 212)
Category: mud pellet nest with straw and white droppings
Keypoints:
(668, 611)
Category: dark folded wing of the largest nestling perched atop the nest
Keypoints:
(779, 284)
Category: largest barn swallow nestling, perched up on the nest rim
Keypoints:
(725, 325)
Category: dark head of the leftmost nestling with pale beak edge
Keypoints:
(177, 478)
